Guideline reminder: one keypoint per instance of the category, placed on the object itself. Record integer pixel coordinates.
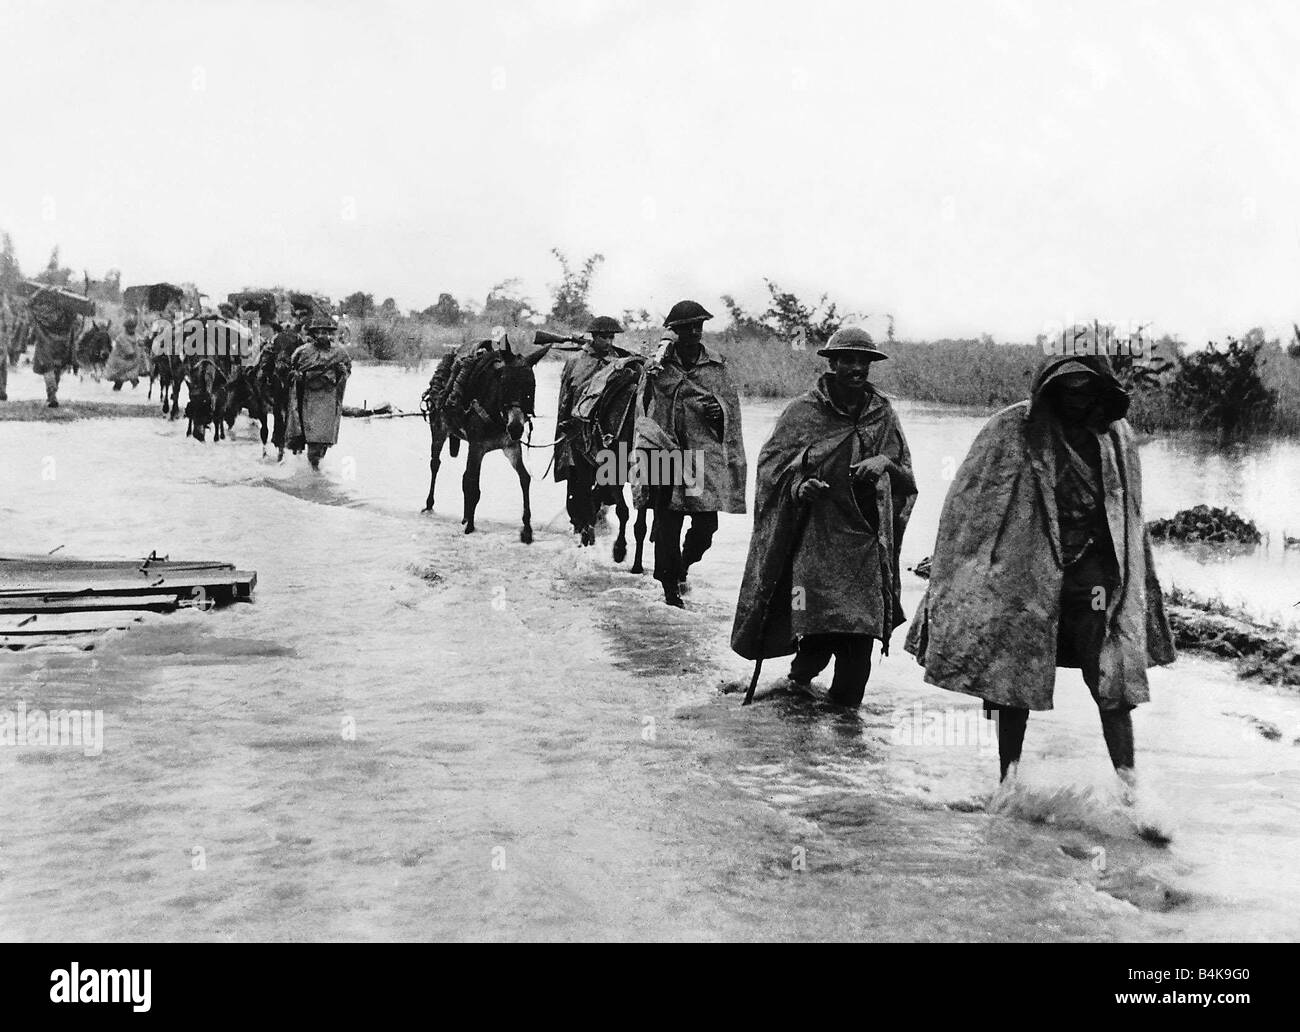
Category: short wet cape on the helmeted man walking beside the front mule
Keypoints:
(673, 424)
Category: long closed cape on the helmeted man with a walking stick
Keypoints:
(829, 566)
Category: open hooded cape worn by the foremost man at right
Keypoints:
(990, 619)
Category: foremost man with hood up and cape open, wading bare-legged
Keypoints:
(1043, 561)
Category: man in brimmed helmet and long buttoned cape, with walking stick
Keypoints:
(834, 497)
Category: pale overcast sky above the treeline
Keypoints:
(968, 167)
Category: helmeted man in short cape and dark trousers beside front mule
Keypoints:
(687, 433)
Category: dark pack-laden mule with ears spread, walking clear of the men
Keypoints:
(499, 407)
